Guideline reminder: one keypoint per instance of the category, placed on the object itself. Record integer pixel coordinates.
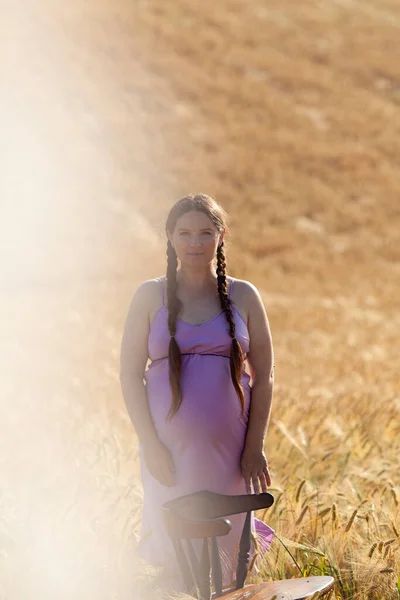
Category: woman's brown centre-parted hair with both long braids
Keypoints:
(216, 213)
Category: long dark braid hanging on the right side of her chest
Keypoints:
(236, 358)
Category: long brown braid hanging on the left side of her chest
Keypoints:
(174, 353)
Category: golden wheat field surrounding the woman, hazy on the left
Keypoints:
(289, 114)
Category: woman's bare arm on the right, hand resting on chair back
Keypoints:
(261, 363)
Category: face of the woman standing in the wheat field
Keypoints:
(195, 239)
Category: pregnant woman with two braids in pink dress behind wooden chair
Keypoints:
(201, 419)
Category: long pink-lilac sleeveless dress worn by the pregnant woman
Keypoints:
(206, 436)
